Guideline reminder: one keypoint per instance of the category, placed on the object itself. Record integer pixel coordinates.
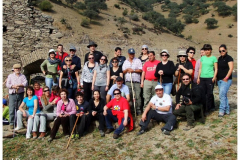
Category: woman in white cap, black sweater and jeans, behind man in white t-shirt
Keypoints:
(164, 72)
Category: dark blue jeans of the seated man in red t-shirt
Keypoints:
(110, 117)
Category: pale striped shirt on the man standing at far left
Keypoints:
(13, 79)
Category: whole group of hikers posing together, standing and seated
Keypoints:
(113, 93)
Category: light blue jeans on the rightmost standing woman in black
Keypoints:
(223, 88)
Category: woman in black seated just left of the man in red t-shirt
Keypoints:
(96, 111)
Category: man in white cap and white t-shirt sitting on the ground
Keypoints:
(161, 111)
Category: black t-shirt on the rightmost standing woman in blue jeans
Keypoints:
(223, 67)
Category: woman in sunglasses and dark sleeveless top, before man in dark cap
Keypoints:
(69, 78)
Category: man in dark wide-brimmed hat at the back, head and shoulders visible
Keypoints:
(97, 55)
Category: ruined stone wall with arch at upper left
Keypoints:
(27, 32)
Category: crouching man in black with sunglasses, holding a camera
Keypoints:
(191, 101)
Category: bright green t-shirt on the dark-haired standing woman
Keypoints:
(207, 66)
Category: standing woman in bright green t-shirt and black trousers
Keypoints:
(207, 75)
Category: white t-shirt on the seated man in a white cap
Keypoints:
(166, 100)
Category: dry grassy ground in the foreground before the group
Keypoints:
(216, 139)
